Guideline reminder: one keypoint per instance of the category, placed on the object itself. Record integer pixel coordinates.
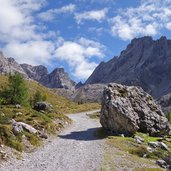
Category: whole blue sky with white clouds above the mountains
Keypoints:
(78, 34)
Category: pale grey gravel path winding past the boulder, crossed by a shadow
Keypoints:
(76, 149)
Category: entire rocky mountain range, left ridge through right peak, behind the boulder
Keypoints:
(145, 63)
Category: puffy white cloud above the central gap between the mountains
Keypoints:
(78, 55)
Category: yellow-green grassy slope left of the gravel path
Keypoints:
(36, 119)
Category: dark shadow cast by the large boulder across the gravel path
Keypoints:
(87, 135)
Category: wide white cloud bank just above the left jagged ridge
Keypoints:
(32, 52)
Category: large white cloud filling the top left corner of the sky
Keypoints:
(16, 20)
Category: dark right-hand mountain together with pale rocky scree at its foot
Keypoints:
(145, 63)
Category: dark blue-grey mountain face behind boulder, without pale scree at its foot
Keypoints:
(145, 62)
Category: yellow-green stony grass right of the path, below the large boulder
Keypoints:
(124, 152)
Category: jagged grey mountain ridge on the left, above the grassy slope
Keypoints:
(58, 78)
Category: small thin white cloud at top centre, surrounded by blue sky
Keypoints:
(97, 15)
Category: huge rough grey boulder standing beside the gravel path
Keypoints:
(128, 109)
